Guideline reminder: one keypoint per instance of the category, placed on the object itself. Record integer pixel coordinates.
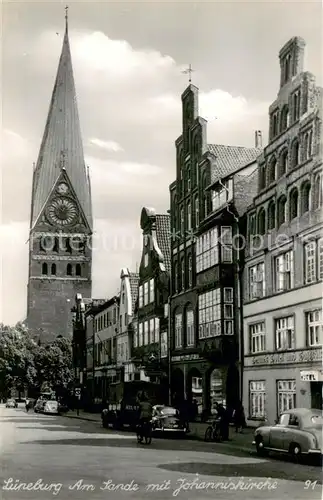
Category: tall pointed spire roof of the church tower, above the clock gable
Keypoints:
(61, 147)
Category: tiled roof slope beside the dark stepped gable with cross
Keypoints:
(229, 159)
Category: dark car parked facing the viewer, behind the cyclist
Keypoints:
(168, 419)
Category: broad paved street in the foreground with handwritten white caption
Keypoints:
(76, 457)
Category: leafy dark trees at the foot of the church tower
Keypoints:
(26, 362)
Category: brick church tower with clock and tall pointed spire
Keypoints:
(60, 254)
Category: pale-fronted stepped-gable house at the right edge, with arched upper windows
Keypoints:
(284, 253)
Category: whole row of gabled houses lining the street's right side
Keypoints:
(226, 305)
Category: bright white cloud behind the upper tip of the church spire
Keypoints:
(101, 59)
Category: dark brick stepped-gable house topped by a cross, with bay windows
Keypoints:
(204, 285)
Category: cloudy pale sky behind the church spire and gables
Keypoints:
(128, 59)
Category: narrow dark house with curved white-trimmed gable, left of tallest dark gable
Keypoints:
(150, 340)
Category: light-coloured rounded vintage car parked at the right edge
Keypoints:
(297, 432)
